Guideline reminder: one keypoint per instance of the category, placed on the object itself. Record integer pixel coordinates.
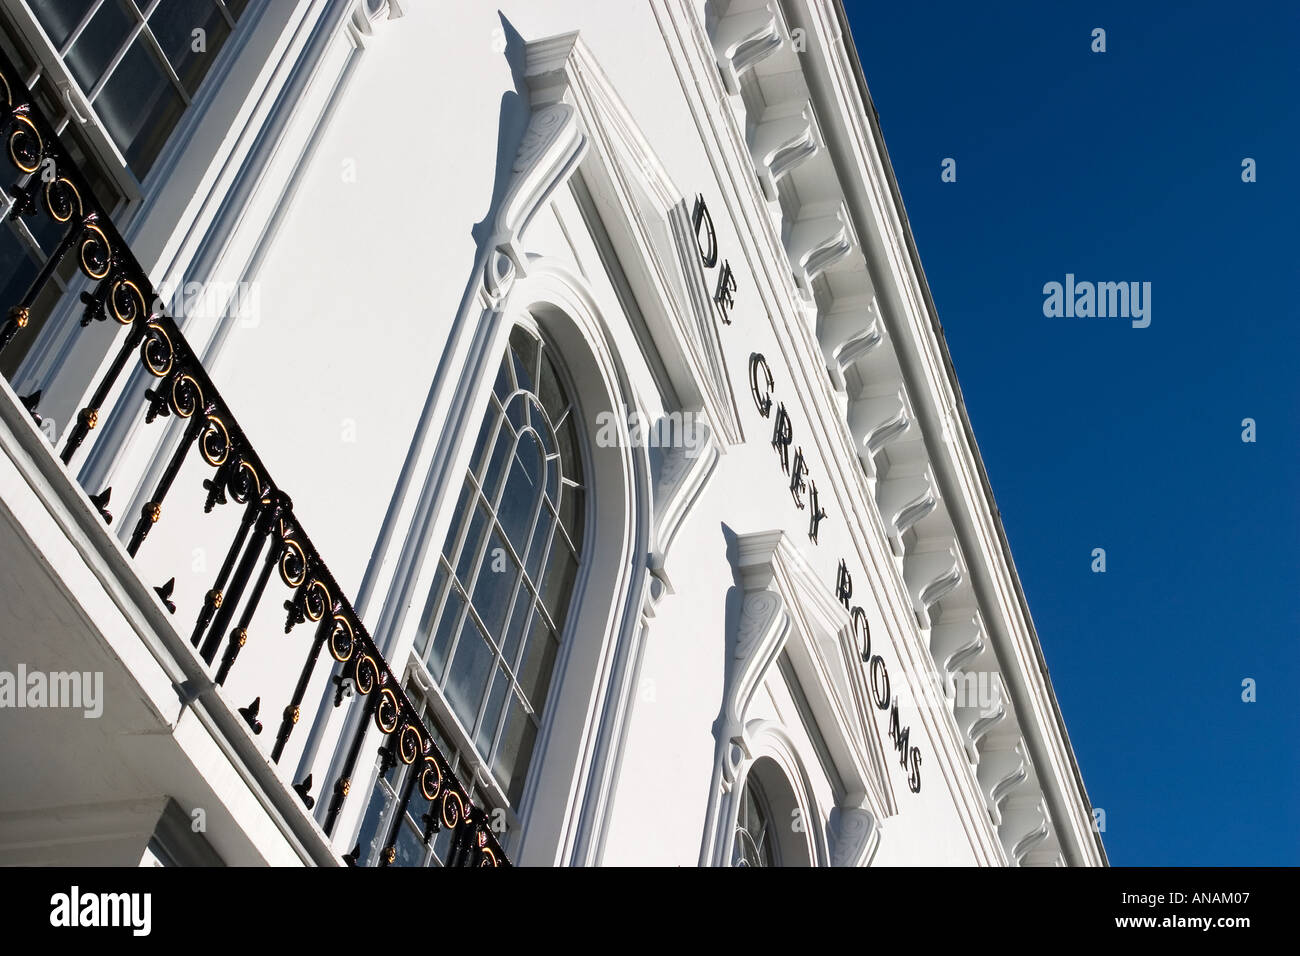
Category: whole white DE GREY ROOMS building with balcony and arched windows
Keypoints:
(530, 438)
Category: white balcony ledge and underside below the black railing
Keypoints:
(76, 603)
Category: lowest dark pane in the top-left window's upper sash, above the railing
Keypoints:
(140, 107)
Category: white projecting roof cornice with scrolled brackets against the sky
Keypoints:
(818, 184)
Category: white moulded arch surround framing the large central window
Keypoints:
(579, 734)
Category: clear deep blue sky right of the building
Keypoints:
(1126, 166)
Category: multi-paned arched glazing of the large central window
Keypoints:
(501, 595)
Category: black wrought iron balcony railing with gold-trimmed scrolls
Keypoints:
(268, 534)
